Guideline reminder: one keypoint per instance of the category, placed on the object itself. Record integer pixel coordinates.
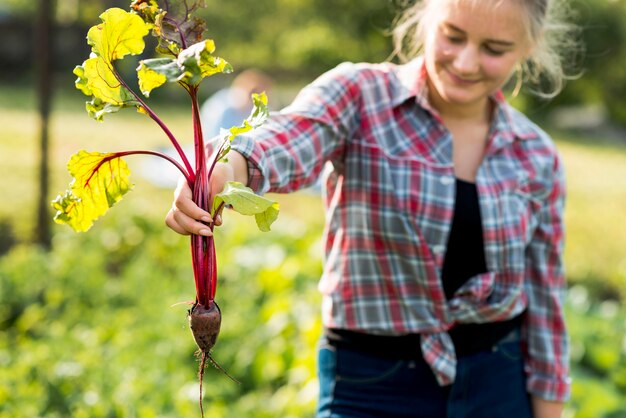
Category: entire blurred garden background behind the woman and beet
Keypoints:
(87, 322)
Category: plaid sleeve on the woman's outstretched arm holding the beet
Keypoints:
(290, 150)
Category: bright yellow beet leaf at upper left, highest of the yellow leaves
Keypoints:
(120, 33)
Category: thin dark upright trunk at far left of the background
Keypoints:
(43, 70)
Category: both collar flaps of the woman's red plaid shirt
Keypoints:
(412, 83)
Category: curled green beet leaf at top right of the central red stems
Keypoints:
(198, 62)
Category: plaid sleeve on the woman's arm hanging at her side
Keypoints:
(547, 363)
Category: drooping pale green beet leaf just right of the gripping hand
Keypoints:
(245, 201)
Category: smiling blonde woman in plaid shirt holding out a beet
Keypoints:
(443, 277)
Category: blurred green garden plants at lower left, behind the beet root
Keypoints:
(89, 330)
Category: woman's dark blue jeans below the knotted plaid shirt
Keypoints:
(489, 384)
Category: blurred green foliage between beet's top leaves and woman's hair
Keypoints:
(306, 37)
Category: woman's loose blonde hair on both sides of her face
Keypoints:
(554, 40)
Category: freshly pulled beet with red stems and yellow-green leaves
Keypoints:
(101, 179)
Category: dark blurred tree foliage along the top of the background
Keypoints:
(296, 40)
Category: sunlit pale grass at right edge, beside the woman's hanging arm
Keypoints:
(596, 205)
